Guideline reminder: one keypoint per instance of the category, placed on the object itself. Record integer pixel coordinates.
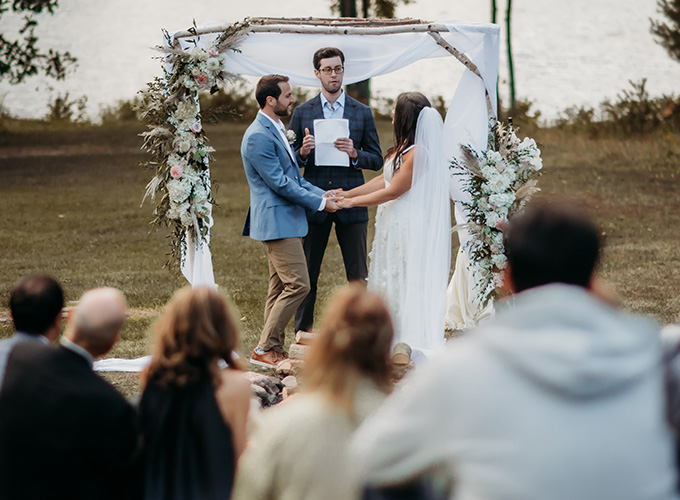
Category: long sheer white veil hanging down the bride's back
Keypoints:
(429, 242)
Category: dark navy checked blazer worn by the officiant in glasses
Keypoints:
(365, 136)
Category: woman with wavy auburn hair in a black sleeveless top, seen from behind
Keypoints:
(193, 412)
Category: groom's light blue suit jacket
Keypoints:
(279, 195)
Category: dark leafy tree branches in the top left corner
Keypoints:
(22, 58)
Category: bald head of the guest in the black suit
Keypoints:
(97, 319)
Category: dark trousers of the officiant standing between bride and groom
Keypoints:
(352, 241)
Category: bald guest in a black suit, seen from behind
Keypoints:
(65, 433)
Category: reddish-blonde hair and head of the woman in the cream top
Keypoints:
(354, 341)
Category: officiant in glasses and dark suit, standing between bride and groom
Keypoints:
(363, 149)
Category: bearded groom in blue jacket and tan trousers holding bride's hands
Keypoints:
(279, 197)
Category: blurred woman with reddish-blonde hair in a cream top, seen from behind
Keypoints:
(299, 451)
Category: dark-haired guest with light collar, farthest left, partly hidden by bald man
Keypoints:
(35, 306)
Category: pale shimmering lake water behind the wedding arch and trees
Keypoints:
(566, 53)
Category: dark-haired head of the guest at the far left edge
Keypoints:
(35, 304)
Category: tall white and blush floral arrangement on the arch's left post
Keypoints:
(181, 185)
